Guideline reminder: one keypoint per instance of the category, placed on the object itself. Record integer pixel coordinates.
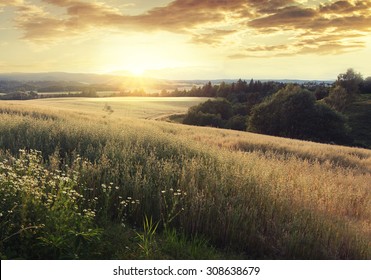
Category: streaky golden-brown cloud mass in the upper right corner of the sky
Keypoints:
(332, 28)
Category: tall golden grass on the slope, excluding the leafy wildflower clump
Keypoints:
(263, 196)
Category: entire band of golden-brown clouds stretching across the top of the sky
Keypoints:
(331, 27)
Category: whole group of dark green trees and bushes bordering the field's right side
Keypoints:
(309, 111)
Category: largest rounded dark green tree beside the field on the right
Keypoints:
(293, 112)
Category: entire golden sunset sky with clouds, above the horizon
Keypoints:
(187, 39)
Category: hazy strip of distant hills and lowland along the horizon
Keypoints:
(65, 82)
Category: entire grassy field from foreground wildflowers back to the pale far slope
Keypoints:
(108, 186)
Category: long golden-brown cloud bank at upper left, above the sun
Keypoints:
(180, 16)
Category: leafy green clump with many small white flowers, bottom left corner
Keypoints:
(42, 211)
